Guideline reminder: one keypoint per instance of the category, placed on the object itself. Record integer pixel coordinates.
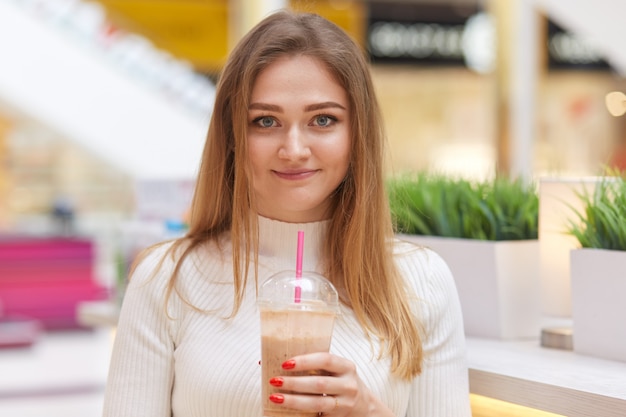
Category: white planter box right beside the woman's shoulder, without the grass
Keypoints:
(498, 284)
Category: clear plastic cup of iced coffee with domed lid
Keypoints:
(291, 326)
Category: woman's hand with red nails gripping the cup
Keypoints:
(339, 393)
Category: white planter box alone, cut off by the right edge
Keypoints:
(599, 302)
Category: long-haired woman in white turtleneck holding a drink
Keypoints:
(295, 143)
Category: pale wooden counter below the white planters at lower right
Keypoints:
(556, 381)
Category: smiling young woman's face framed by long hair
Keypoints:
(299, 139)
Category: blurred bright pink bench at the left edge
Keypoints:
(44, 279)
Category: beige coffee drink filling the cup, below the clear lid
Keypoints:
(286, 333)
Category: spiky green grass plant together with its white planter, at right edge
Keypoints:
(598, 270)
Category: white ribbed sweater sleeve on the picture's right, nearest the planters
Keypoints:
(442, 389)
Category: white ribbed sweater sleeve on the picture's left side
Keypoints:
(141, 371)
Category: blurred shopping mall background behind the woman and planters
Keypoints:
(104, 106)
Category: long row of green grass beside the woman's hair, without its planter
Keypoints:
(437, 205)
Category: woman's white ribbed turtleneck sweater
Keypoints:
(192, 364)
